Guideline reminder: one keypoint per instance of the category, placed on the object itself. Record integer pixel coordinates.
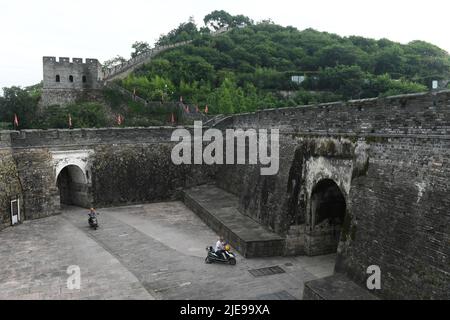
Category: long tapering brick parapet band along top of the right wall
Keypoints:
(425, 113)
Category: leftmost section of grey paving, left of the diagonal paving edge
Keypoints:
(35, 256)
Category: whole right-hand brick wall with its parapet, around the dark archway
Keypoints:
(390, 157)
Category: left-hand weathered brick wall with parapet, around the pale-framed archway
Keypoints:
(127, 166)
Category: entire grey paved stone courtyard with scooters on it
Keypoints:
(153, 251)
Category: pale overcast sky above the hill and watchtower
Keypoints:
(102, 29)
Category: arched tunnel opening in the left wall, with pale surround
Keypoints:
(73, 187)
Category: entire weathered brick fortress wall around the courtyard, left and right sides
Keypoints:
(389, 158)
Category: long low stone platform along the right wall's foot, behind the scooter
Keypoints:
(219, 210)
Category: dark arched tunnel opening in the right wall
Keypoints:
(328, 210)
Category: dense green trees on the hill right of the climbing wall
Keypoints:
(254, 63)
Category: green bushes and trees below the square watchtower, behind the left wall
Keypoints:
(24, 102)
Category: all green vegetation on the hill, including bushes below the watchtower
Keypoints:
(248, 68)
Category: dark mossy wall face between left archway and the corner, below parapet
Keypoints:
(125, 174)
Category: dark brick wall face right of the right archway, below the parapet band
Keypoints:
(399, 218)
